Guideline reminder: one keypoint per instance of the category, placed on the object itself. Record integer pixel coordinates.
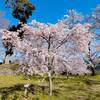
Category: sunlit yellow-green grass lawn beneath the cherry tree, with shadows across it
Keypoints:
(73, 88)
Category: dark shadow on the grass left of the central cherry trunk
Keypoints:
(6, 91)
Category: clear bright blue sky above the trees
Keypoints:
(49, 11)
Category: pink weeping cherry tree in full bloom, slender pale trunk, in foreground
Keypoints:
(44, 44)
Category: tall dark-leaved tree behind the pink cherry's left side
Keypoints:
(21, 10)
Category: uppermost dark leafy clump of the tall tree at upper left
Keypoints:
(21, 9)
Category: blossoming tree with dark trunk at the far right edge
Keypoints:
(92, 55)
